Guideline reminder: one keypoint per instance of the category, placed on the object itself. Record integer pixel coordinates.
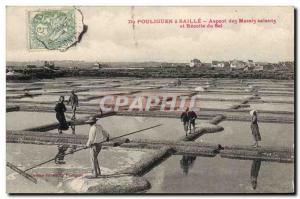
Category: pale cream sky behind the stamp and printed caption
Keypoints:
(111, 38)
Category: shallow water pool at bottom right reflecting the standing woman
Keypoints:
(188, 174)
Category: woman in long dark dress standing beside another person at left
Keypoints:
(60, 109)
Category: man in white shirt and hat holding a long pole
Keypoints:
(96, 135)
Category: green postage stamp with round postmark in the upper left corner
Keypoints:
(54, 29)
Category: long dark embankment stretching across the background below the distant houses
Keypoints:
(150, 72)
